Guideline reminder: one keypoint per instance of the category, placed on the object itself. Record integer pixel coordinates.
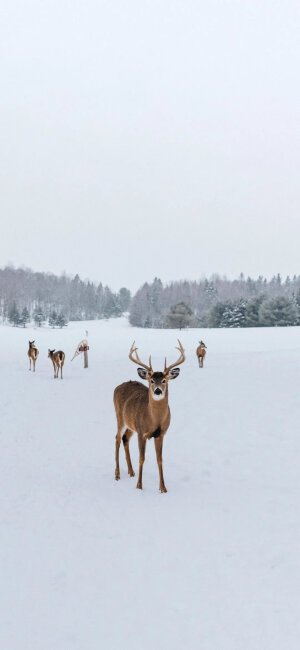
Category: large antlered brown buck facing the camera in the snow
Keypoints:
(144, 410)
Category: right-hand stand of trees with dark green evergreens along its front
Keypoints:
(218, 302)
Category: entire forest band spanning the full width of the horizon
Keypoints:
(215, 302)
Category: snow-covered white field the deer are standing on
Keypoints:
(87, 562)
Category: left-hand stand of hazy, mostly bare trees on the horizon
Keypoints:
(47, 298)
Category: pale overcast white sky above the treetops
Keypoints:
(146, 138)
